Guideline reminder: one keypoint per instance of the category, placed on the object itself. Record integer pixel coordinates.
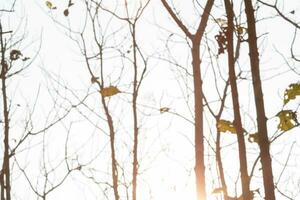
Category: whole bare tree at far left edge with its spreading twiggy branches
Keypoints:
(15, 62)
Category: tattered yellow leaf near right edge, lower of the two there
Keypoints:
(288, 119)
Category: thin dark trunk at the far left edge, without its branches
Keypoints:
(5, 172)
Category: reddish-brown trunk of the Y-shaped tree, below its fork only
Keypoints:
(199, 145)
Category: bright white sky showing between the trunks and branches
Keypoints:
(166, 150)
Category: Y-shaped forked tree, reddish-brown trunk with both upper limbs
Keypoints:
(198, 92)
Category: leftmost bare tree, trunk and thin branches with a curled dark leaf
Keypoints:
(13, 64)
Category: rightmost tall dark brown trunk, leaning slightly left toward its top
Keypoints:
(259, 102)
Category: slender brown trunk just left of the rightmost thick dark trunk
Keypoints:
(236, 107)
